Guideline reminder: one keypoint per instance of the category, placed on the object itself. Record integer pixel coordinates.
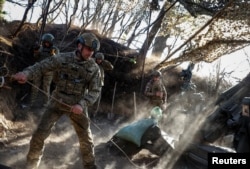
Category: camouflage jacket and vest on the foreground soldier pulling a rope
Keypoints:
(78, 81)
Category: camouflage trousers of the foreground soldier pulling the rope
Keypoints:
(81, 125)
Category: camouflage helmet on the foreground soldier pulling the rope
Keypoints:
(89, 40)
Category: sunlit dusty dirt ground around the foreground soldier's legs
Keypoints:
(62, 148)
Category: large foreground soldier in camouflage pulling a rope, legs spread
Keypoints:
(78, 86)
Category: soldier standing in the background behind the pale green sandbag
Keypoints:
(156, 91)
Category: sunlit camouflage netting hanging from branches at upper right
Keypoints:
(227, 32)
